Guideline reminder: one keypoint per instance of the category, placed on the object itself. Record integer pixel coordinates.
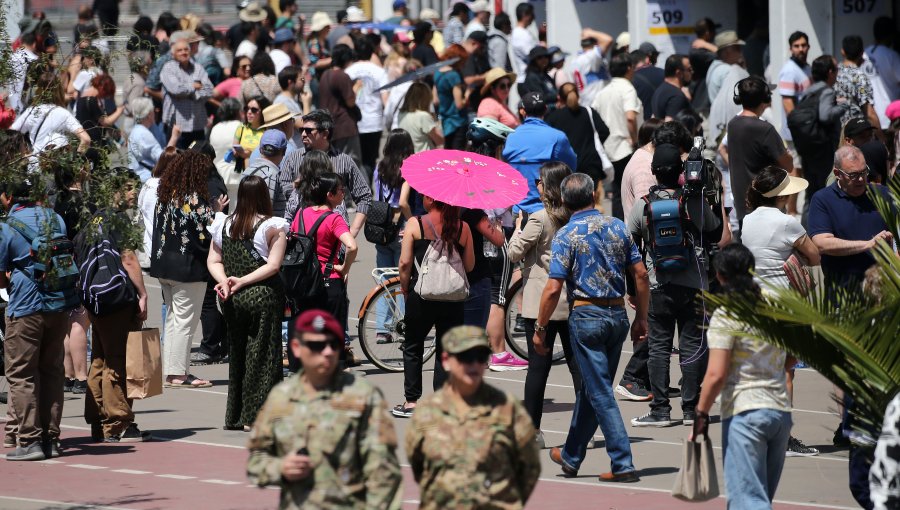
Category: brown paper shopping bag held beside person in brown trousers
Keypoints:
(143, 364)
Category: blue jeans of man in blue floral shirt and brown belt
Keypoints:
(597, 334)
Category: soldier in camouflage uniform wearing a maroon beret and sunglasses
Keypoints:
(325, 436)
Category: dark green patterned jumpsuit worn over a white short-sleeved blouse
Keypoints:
(253, 316)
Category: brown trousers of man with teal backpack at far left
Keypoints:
(34, 369)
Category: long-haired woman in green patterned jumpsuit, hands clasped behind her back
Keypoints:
(247, 249)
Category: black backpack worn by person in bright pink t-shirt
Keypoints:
(301, 271)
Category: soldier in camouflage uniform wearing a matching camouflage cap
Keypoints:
(471, 445)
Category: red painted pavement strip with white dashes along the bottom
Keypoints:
(66, 482)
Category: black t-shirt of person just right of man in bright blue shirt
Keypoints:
(577, 128)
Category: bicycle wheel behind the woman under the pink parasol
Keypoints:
(382, 313)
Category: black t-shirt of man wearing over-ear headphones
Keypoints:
(753, 144)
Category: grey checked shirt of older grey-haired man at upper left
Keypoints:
(182, 104)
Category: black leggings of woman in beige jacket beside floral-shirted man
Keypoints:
(539, 367)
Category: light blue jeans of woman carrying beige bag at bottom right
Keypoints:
(753, 444)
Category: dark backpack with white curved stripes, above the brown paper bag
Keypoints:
(105, 286)
